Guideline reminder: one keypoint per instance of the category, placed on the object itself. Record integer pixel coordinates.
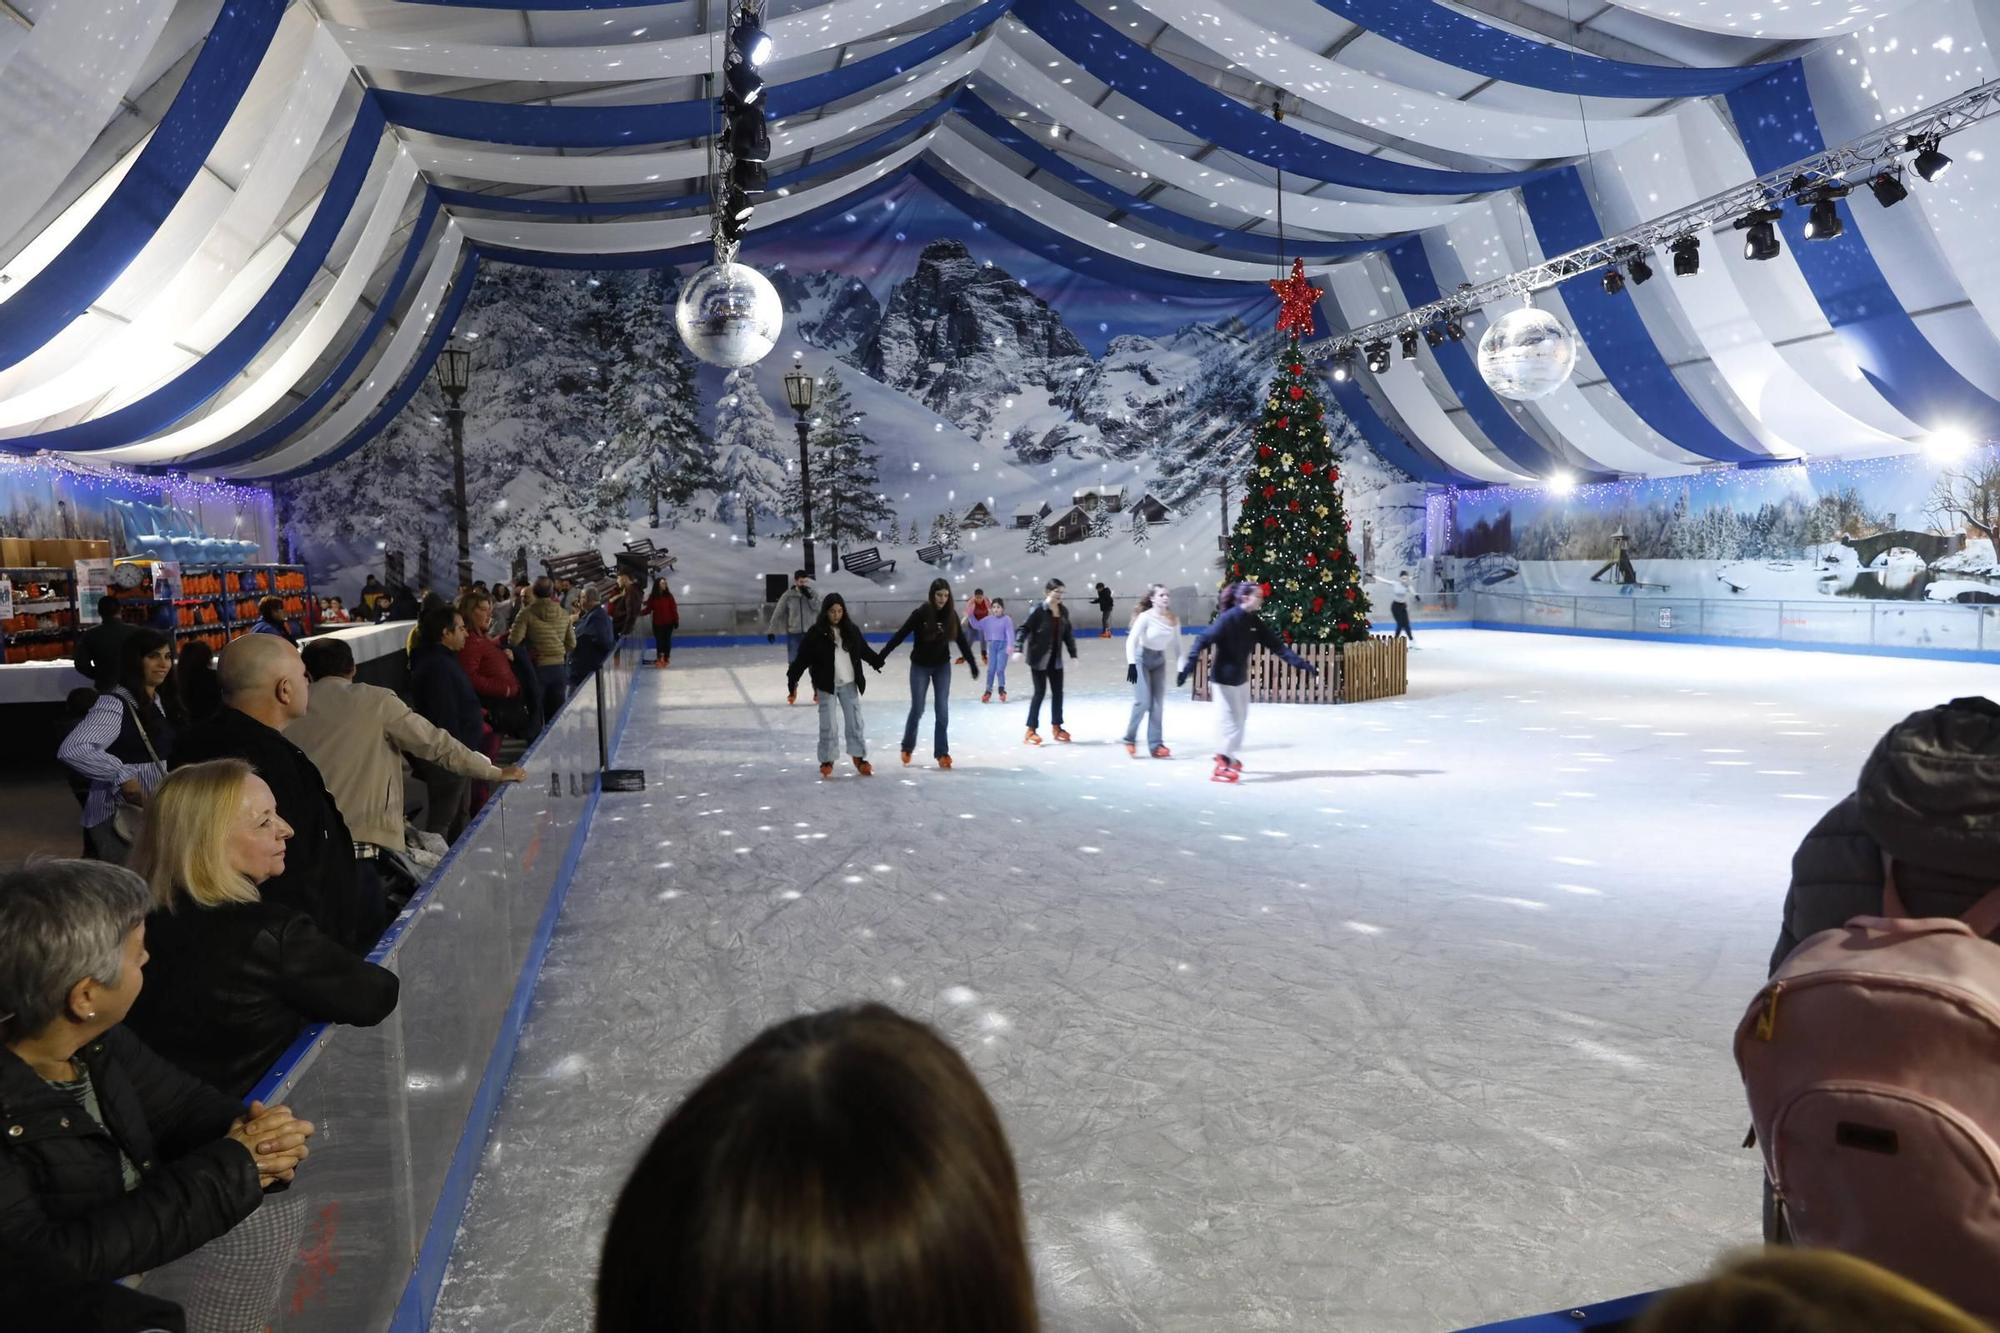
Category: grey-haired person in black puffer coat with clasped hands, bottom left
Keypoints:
(113, 1162)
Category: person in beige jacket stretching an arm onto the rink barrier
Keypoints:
(359, 736)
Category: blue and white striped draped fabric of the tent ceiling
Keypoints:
(257, 289)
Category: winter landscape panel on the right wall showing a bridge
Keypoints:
(1887, 529)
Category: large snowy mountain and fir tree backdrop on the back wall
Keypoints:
(981, 413)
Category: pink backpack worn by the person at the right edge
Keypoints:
(1873, 1068)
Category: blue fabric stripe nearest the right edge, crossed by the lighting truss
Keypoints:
(1779, 127)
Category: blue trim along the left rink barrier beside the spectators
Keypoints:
(435, 1254)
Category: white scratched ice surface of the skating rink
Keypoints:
(1425, 1024)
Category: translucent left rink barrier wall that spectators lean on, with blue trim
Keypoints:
(405, 1108)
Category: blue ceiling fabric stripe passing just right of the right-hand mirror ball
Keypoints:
(1615, 331)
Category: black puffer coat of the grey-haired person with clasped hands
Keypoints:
(61, 1190)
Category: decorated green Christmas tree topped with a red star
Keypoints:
(1293, 531)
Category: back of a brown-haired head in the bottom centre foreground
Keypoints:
(841, 1172)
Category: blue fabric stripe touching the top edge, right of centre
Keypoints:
(1483, 49)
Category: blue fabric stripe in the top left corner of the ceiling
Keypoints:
(135, 211)
